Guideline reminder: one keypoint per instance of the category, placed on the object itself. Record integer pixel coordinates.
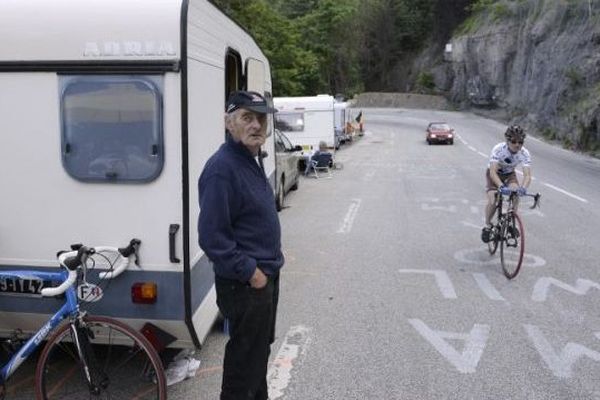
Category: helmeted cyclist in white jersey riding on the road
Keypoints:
(505, 157)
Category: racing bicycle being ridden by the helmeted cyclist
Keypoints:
(508, 231)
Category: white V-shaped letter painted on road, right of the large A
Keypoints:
(559, 364)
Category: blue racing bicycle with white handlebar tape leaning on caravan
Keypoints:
(89, 356)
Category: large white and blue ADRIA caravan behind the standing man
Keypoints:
(109, 111)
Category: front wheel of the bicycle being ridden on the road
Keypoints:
(512, 235)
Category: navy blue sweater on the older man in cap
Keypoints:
(238, 227)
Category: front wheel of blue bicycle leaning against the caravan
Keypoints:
(121, 361)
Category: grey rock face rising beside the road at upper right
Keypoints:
(538, 60)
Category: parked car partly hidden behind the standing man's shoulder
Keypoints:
(287, 170)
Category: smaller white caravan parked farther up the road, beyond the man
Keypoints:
(306, 120)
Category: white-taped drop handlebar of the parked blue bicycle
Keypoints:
(72, 260)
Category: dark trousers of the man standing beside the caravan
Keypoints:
(251, 315)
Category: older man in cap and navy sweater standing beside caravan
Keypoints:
(239, 231)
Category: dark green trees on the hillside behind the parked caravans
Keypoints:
(339, 46)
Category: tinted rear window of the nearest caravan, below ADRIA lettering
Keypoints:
(112, 127)
